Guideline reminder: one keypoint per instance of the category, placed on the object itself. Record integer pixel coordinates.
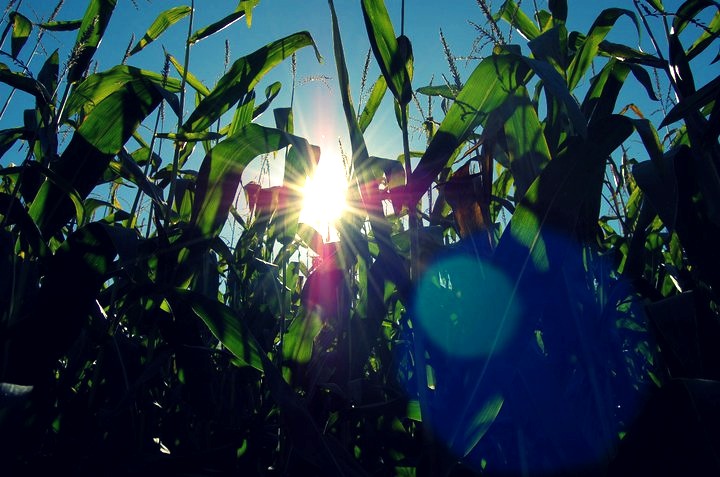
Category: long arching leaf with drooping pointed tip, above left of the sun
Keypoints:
(242, 77)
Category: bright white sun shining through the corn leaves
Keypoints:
(324, 197)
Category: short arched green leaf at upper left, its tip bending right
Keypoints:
(96, 88)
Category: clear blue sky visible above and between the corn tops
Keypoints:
(317, 104)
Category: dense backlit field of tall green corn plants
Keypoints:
(534, 293)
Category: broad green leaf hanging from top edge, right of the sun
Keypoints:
(391, 58)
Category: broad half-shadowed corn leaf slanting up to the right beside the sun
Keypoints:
(495, 77)
